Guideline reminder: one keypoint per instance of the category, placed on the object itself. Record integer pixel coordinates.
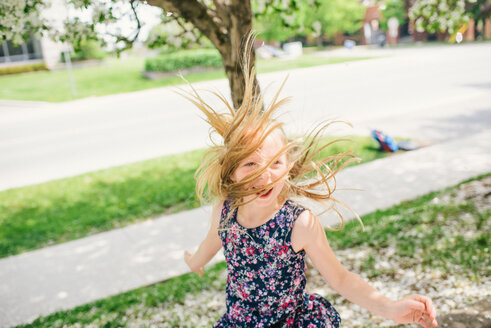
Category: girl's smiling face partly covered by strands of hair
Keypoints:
(271, 147)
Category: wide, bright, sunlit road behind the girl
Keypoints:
(430, 93)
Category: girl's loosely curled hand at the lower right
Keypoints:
(414, 309)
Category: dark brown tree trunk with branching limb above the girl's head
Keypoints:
(227, 26)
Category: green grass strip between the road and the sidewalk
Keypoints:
(57, 211)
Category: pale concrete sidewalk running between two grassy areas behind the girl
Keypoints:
(70, 274)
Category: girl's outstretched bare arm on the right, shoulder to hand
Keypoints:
(309, 235)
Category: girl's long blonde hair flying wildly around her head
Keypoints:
(243, 131)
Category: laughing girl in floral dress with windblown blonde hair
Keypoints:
(265, 235)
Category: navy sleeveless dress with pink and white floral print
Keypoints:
(266, 277)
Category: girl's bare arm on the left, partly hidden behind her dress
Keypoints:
(208, 247)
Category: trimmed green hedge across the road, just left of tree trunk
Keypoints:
(183, 59)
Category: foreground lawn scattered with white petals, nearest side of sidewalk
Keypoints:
(437, 245)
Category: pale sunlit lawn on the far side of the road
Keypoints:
(123, 75)
